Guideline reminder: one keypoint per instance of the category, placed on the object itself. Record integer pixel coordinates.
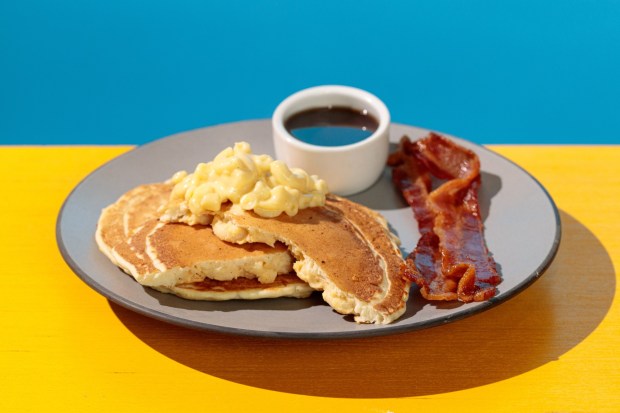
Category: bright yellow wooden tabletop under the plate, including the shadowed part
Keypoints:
(553, 348)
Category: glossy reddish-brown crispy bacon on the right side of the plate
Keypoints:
(451, 261)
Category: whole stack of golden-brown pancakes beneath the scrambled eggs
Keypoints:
(343, 249)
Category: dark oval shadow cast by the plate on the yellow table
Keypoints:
(536, 327)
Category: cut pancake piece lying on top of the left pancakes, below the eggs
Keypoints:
(161, 254)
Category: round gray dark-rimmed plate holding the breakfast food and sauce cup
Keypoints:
(521, 220)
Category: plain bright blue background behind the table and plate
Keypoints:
(110, 72)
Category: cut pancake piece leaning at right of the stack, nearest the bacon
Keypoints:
(343, 249)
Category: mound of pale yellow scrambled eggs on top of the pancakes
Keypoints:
(253, 182)
